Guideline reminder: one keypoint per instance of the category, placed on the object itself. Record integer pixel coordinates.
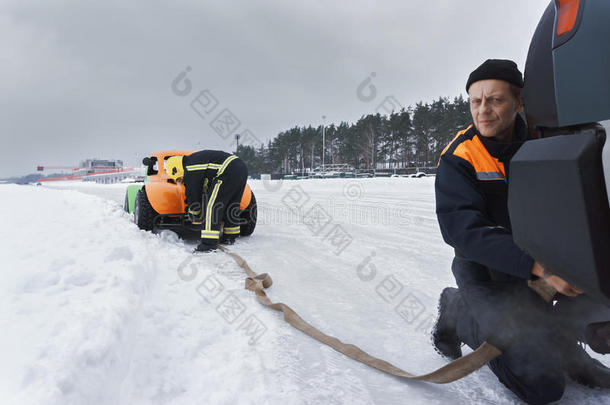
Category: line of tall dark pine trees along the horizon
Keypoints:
(409, 138)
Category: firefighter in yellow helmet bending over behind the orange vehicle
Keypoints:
(214, 182)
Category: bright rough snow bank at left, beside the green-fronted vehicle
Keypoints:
(70, 290)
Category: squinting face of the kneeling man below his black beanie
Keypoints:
(493, 106)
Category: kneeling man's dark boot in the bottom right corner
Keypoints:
(583, 369)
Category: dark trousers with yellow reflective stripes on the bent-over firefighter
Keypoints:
(221, 203)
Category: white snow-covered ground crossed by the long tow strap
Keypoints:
(95, 311)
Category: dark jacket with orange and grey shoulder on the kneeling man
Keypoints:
(471, 201)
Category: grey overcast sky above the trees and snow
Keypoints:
(81, 80)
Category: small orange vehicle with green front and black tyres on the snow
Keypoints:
(160, 203)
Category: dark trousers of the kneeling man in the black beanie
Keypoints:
(505, 312)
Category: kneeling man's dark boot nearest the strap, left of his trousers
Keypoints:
(444, 333)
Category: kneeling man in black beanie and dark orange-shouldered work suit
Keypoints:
(539, 341)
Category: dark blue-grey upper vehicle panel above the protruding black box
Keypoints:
(566, 76)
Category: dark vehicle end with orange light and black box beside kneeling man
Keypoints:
(558, 200)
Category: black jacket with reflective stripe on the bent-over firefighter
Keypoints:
(199, 167)
